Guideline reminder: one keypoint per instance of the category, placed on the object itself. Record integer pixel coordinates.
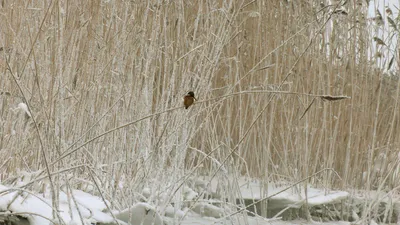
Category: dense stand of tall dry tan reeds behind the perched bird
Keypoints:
(104, 82)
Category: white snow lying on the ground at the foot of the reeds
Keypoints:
(85, 208)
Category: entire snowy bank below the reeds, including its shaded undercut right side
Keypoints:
(80, 207)
